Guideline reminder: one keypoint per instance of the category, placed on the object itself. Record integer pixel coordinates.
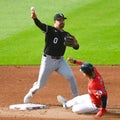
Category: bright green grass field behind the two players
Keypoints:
(95, 23)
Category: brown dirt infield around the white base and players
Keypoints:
(15, 81)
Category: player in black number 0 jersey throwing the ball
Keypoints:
(52, 58)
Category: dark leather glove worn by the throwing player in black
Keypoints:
(71, 42)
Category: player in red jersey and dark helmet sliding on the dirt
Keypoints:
(96, 99)
